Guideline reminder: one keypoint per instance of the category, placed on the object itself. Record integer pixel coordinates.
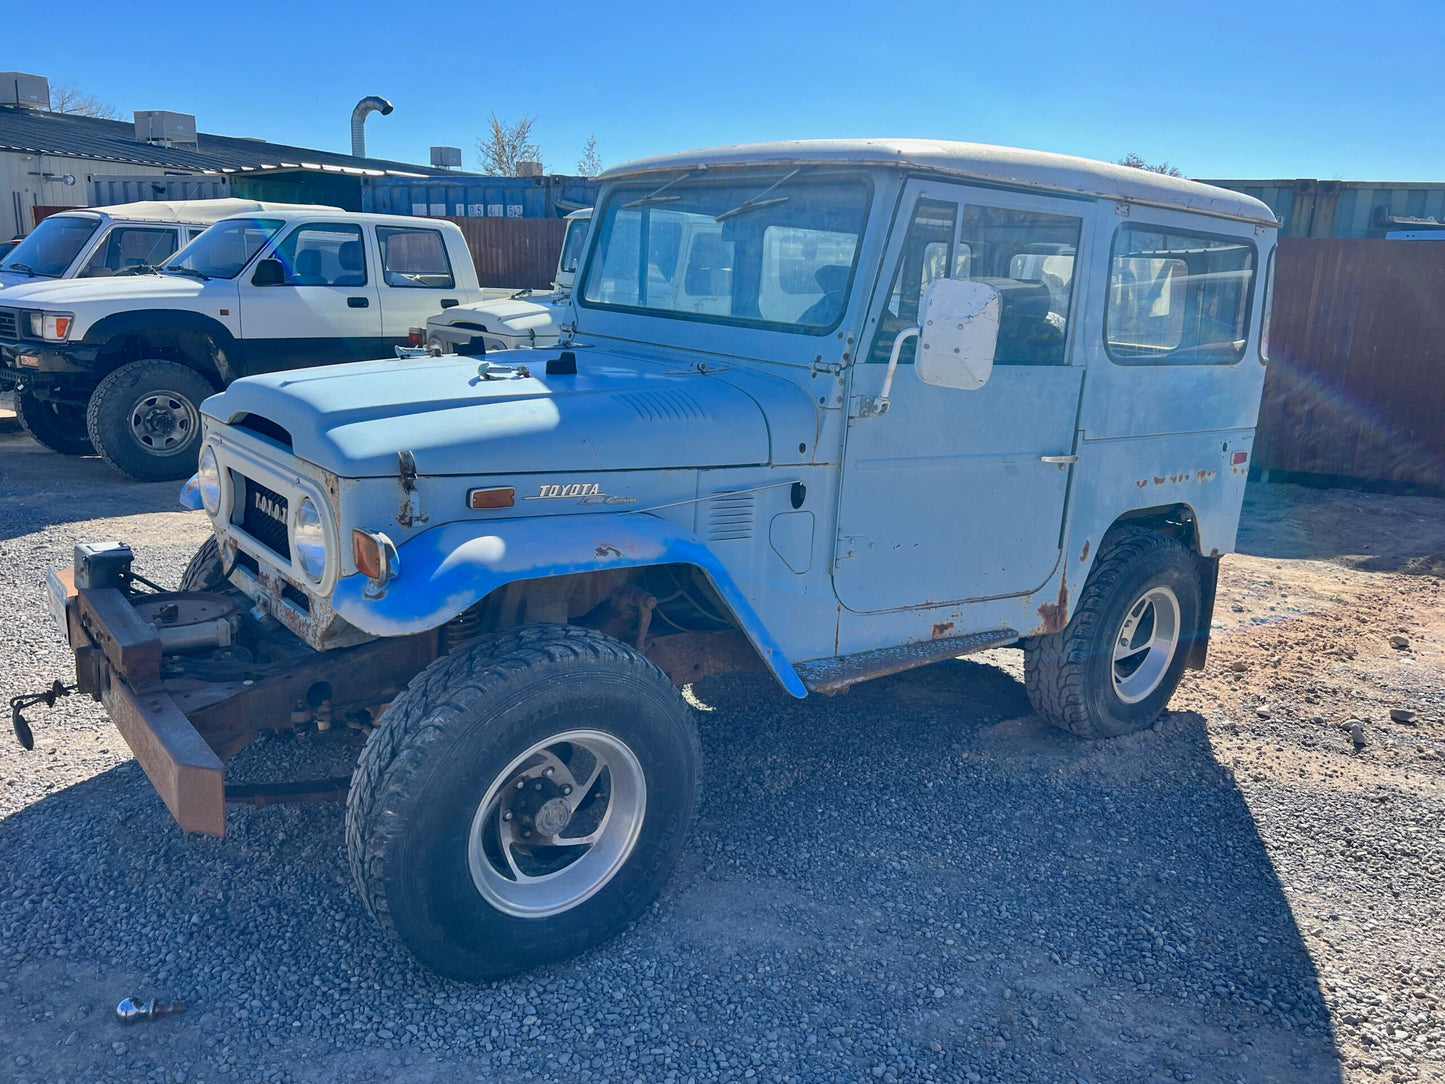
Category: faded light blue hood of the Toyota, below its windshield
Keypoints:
(616, 413)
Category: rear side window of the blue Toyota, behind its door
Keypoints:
(1178, 298)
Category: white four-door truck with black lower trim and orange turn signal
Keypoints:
(122, 365)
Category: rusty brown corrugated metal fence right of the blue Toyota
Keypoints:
(1356, 387)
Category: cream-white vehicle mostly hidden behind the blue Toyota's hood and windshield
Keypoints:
(517, 319)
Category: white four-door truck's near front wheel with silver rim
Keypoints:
(145, 418)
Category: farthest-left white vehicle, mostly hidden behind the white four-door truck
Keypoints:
(99, 242)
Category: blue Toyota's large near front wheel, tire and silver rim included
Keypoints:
(488, 749)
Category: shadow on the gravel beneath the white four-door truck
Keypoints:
(44, 488)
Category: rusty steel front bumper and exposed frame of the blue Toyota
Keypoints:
(183, 728)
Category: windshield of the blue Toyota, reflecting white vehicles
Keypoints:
(772, 249)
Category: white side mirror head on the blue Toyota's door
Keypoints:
(959, 333)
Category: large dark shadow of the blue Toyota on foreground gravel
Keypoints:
(917, 881)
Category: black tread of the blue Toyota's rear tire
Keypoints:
(1056, 666)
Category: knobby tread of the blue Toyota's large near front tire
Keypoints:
(394, 752)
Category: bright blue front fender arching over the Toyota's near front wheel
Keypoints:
(449, 569)
